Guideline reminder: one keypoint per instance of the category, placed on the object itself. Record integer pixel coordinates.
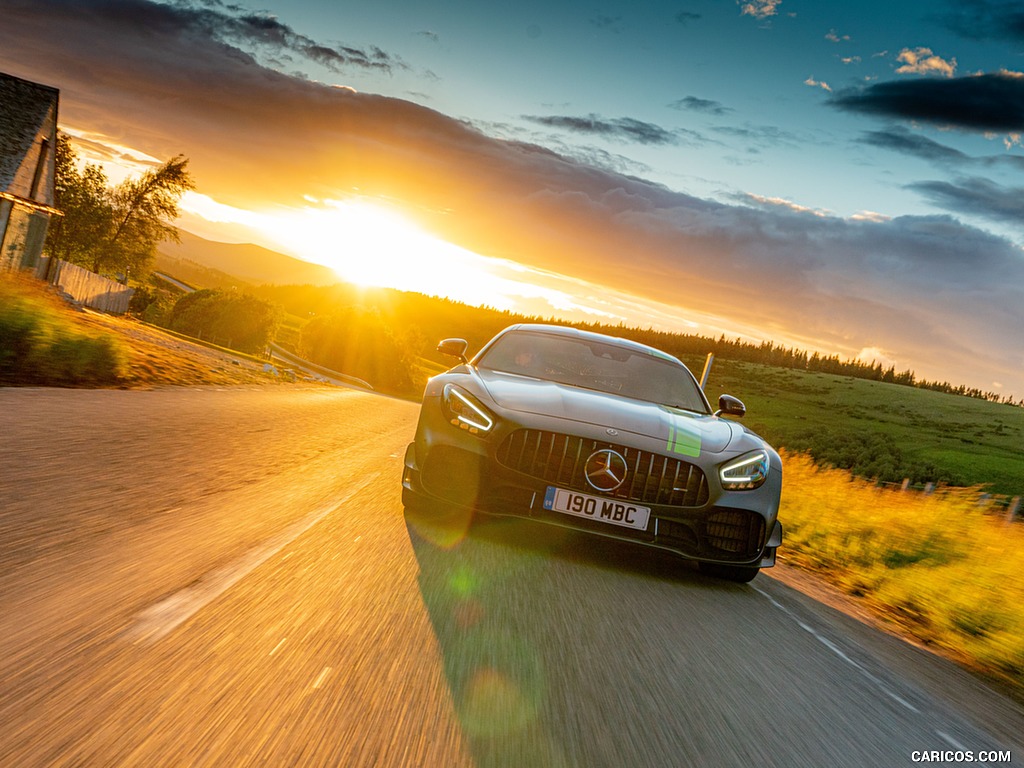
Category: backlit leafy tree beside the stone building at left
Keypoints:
(114, 231)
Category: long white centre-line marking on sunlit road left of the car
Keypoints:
(159, 620)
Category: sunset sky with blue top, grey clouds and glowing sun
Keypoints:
(840, 178)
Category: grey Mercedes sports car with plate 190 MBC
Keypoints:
(603, 436)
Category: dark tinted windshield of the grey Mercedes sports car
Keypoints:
(595, 365)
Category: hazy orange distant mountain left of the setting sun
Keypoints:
(248, 263)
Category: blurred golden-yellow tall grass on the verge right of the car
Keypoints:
(943, 567)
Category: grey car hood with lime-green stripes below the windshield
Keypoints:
(685, 433)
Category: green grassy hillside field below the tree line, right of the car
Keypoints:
(882, 432)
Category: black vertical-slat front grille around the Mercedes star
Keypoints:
(560, 460)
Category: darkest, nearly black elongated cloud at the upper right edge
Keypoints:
(979, 103)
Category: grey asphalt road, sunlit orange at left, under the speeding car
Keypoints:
(228, 578)
